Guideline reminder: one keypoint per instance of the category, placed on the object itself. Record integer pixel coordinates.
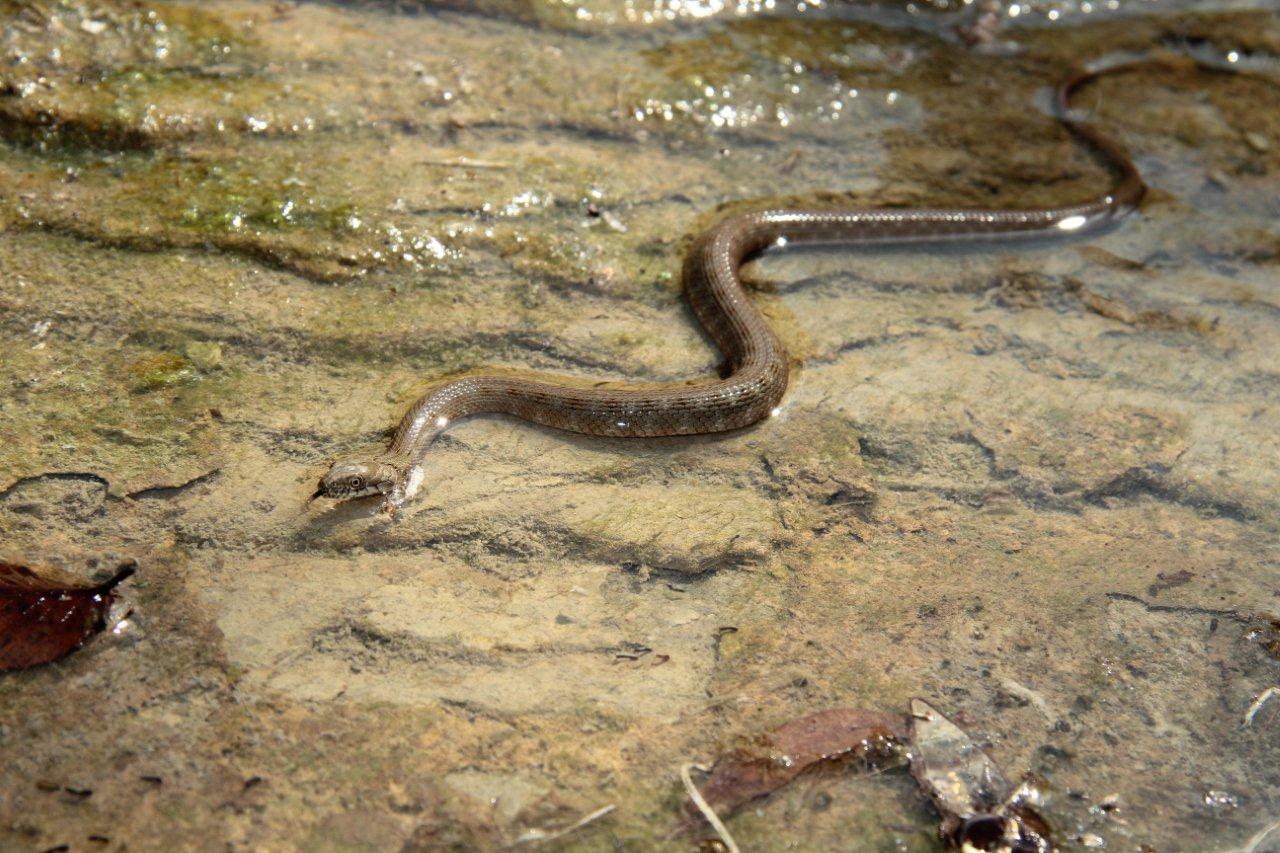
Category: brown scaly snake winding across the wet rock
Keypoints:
(755, 378)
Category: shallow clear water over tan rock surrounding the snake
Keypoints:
(1035, 485)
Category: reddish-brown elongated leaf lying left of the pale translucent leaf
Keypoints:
(784, 754)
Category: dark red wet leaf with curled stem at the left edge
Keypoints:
(42, 621)
